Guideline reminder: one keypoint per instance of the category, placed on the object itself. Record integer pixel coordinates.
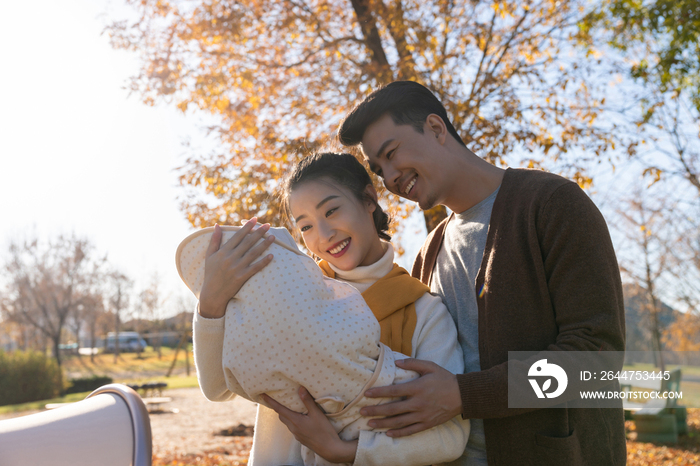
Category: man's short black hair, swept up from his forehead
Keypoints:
(408, 103)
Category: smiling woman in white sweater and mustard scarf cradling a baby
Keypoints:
(333, 204)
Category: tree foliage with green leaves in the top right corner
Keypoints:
(657, 43)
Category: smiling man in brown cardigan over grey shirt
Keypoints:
(525, 263)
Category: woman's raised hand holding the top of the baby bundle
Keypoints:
(228, 266)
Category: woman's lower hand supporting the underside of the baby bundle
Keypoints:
(314, 430)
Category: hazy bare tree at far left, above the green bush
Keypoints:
(46, 283)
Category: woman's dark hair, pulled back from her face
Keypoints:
(343, 169)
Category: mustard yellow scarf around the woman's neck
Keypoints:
(392, 301)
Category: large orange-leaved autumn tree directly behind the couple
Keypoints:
(277, 76)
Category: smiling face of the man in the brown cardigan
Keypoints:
(403, 158)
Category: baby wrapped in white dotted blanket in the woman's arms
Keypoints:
(289, 325)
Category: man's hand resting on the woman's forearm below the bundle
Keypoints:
(428, 401)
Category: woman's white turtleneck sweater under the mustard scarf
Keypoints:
(434, 339)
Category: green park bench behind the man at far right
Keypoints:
(659, 419)
